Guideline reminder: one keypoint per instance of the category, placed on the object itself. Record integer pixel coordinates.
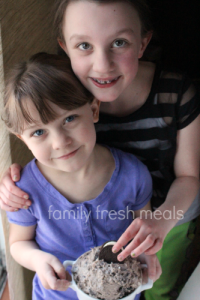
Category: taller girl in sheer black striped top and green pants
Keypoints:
(145, 110)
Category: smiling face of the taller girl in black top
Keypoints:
(104, 43)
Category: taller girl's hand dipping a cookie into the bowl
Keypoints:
(148, 235)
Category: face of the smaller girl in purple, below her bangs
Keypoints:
(65, 144)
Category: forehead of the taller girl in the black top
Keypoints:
(87, 16)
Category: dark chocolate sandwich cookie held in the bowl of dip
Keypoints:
(107, 255)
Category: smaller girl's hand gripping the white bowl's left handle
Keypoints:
(51, 272)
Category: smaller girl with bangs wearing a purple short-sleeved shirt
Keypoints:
(82, 194)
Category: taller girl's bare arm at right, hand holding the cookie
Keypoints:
(150, 231)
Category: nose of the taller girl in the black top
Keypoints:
(103, 63)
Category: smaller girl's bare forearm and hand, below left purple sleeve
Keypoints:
(27, 253)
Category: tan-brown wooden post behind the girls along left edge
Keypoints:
(26, 28)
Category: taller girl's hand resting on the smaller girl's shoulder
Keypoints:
(11, 197)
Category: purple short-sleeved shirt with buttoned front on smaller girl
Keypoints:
(67, 230)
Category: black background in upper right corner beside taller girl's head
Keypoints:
(177, 27)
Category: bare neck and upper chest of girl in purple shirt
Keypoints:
(87, 183)
